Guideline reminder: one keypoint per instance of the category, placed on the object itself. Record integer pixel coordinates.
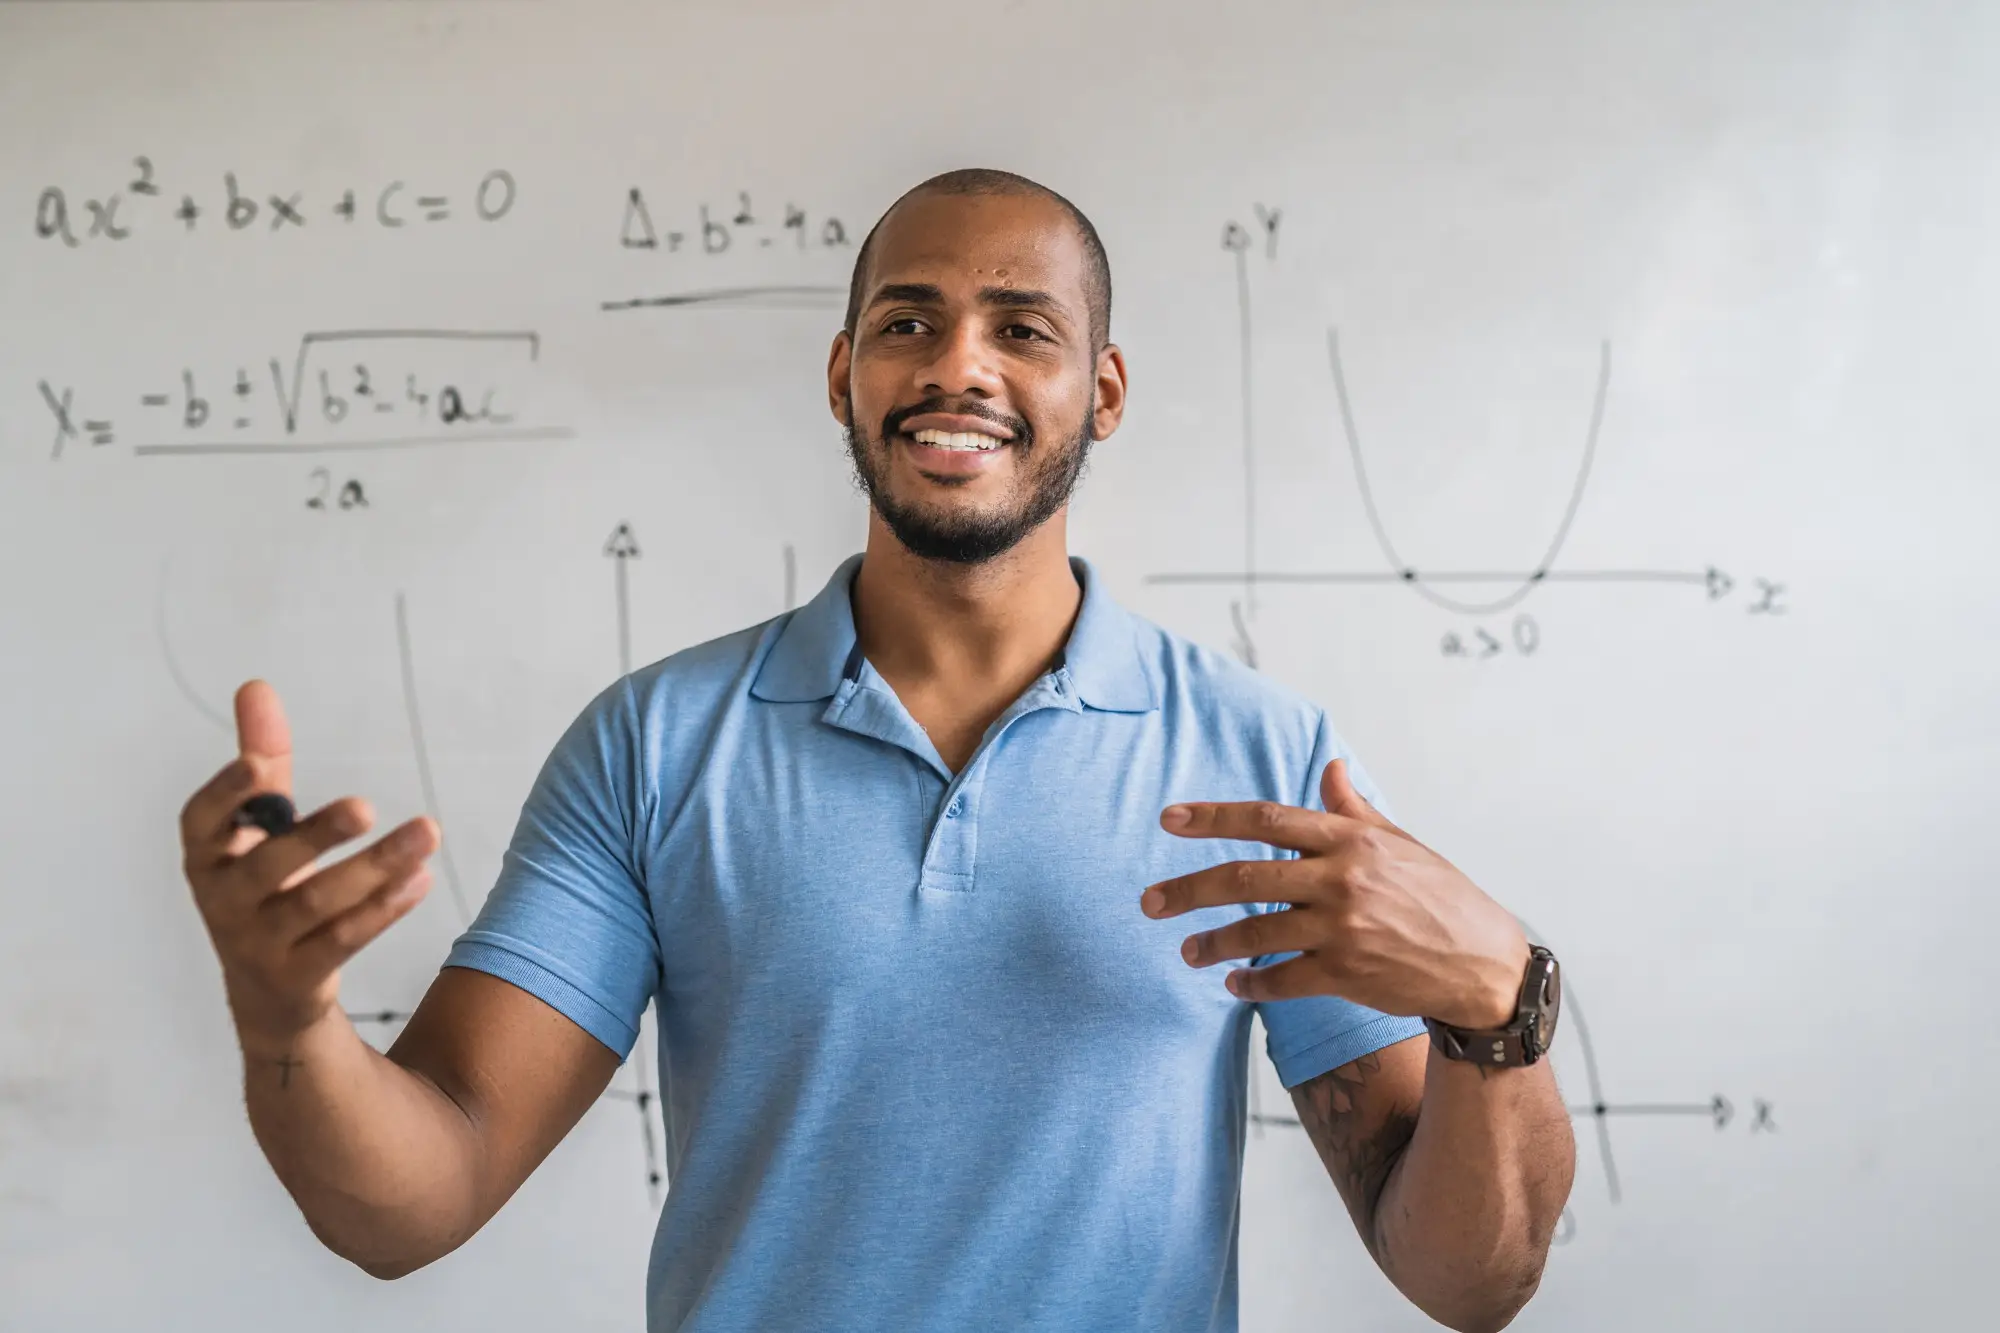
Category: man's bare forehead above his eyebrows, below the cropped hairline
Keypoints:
(989, 239)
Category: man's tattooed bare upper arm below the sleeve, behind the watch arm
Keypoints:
(1361, 1118)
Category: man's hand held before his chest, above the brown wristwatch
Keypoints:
(1375, 916)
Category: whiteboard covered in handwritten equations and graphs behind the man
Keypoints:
(1599, 397)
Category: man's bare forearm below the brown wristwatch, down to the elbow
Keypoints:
(1467, 1214)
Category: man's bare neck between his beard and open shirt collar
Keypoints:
(965, 629)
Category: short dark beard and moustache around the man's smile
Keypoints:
(1049, 475)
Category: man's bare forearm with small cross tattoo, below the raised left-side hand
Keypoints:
(379, 1160)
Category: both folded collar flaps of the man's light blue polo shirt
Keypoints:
(817, 647)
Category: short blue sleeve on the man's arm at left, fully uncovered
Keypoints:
(569, 920)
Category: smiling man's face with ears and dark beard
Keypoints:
(971, 391)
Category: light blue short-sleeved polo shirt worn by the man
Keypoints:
(925, 1062)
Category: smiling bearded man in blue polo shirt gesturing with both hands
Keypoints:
(909, 874)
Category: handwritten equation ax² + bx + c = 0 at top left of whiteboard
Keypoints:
(141, 203)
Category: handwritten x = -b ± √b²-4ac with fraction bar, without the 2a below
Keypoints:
(341, 389)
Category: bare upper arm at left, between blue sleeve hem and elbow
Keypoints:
(517, 1068)
